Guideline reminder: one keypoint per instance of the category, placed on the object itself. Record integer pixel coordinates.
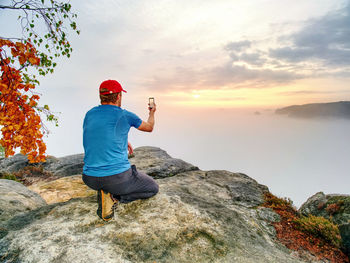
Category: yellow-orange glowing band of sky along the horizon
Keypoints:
(302, 92)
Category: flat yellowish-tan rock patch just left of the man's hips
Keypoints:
(62, 189)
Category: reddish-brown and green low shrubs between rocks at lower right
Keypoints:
(315, 234)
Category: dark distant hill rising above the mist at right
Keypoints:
(340, 109)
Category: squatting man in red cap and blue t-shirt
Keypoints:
(106, 165)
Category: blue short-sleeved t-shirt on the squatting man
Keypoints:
(105, 139)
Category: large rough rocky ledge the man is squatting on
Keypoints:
(197, 216)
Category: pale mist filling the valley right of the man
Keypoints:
(295, 158)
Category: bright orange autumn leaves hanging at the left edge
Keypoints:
(21, 124)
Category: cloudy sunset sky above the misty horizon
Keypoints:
(264, 53)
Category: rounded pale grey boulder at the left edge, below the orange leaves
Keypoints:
(15, 198)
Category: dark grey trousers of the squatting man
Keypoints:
(127, 186)
